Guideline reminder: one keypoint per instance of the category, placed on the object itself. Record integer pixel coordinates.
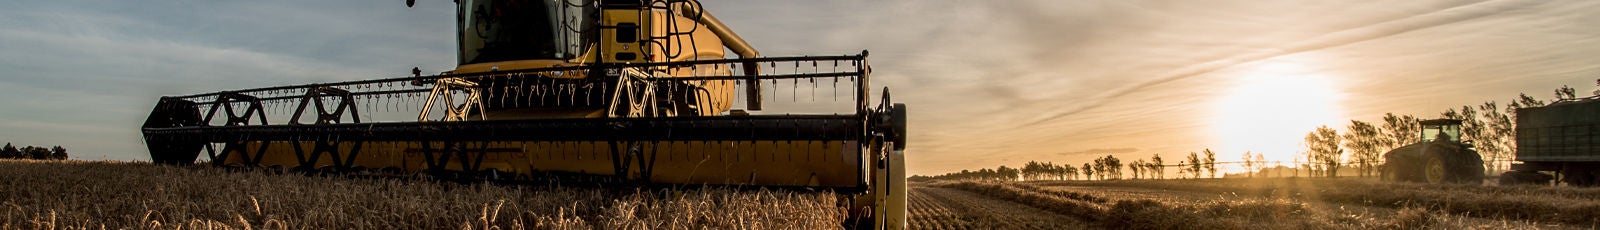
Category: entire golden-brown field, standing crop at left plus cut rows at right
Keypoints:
(142, 196)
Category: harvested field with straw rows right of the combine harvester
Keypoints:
(1247, 204)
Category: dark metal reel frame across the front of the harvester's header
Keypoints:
(625, 135)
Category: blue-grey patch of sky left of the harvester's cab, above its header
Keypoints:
(86, 76)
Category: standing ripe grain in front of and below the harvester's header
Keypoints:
(142, 196)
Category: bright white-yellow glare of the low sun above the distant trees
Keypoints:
(1270, 111)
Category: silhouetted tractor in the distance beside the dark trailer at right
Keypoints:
(1439, 159)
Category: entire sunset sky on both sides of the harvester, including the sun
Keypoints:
(988, 84)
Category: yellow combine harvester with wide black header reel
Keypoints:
(620, 92)
